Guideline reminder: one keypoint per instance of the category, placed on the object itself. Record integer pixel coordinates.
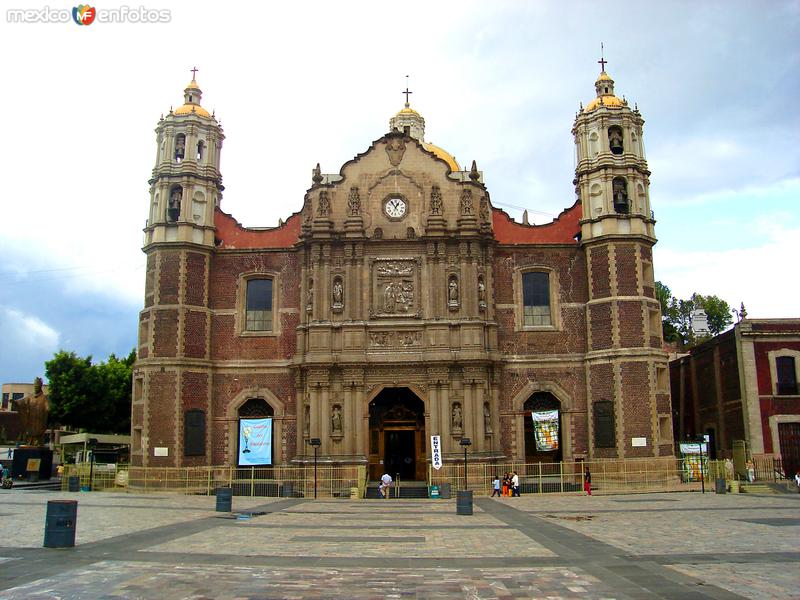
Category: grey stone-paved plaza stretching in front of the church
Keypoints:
(679, 545)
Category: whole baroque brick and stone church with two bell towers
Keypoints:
(398, 304)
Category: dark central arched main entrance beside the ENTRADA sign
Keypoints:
(397, 435)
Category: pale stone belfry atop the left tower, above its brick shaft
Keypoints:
(186, 185)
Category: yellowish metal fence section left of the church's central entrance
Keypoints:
(277, 481)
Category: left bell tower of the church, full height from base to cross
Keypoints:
(172, 377)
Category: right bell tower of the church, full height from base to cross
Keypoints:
(629, 408)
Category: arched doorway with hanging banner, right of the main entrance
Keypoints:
(543, 428)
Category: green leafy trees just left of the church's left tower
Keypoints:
(91, 397)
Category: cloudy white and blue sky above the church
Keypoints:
(498, 82)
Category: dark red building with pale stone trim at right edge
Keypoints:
(741, 386)
